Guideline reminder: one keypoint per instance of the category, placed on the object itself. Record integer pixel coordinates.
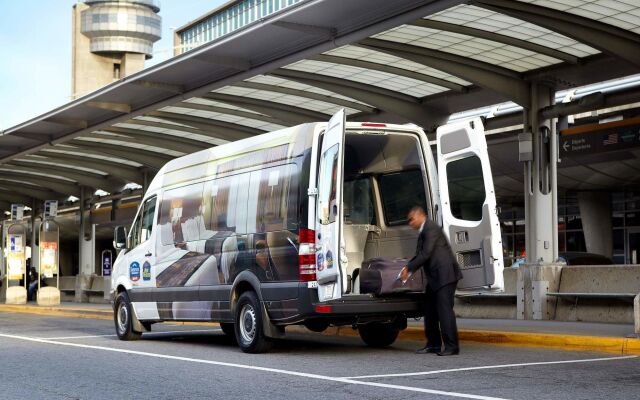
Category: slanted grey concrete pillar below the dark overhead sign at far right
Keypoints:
(595, 212)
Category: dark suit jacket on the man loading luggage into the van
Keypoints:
(434, 255)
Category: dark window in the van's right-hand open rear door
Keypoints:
(466, 188)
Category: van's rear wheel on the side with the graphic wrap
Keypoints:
(248, 325)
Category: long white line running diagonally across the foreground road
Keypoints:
(256, 368)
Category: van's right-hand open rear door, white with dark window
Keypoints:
(468, 199)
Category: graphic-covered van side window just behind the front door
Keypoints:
(181, 217)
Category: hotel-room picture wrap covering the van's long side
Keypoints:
(242, 218)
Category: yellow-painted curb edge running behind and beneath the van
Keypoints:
(613, 345)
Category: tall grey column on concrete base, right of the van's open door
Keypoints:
(539, 275)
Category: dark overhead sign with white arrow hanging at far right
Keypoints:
(598, 138)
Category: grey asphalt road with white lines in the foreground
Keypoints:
(67, 358)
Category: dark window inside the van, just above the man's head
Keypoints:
(399, 192)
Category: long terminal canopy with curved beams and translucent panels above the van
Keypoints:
(401, 61)
